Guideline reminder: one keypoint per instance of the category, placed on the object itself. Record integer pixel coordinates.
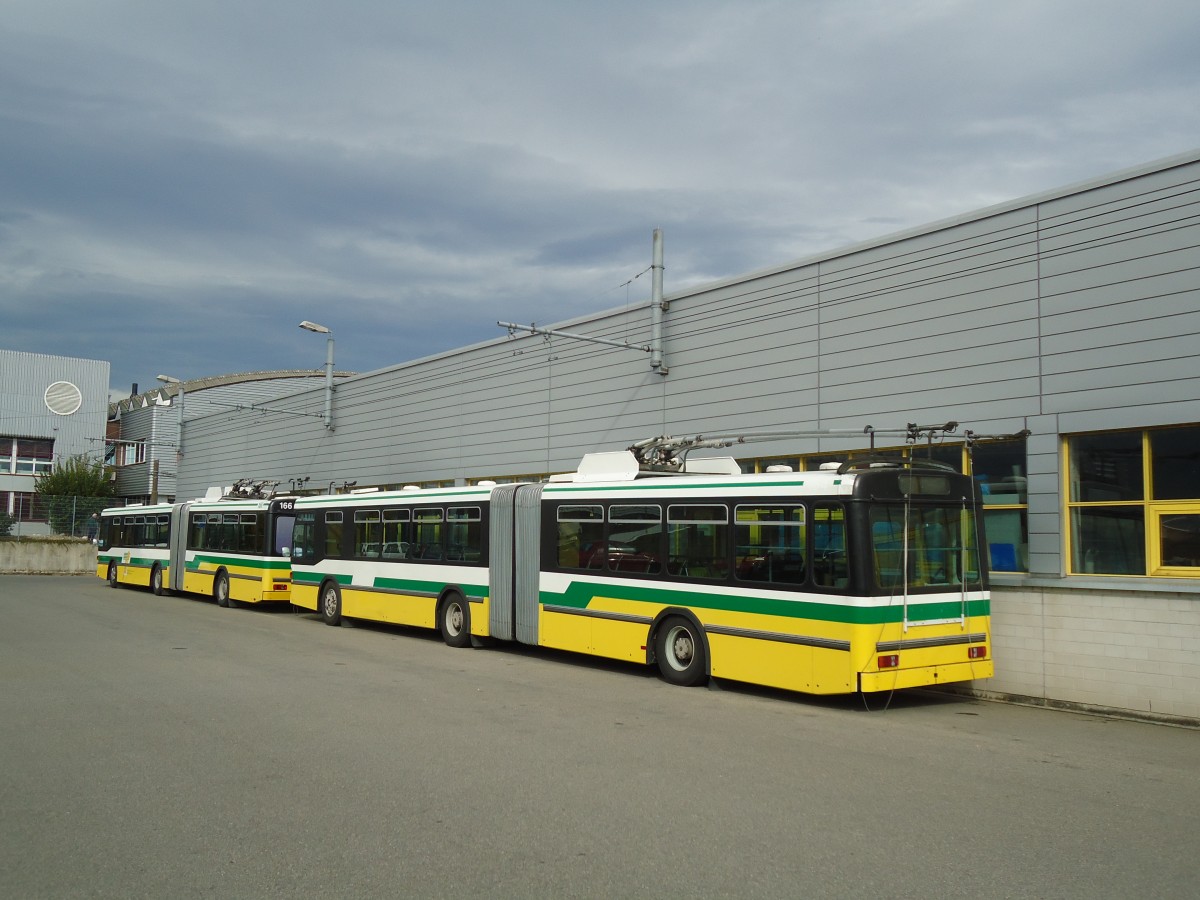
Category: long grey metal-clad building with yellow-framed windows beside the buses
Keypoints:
(1060, 332)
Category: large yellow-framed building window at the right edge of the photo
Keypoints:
(1135, 502)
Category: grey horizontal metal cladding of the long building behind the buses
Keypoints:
(1077, 310)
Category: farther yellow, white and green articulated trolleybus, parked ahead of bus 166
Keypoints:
(235, 549)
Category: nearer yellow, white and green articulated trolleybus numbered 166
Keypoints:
(862, 578)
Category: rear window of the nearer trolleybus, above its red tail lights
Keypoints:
(934, 547)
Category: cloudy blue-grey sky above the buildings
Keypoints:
(183, 182)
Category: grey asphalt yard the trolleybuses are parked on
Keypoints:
(169, 748)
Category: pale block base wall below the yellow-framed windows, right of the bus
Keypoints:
(1127, 652)
